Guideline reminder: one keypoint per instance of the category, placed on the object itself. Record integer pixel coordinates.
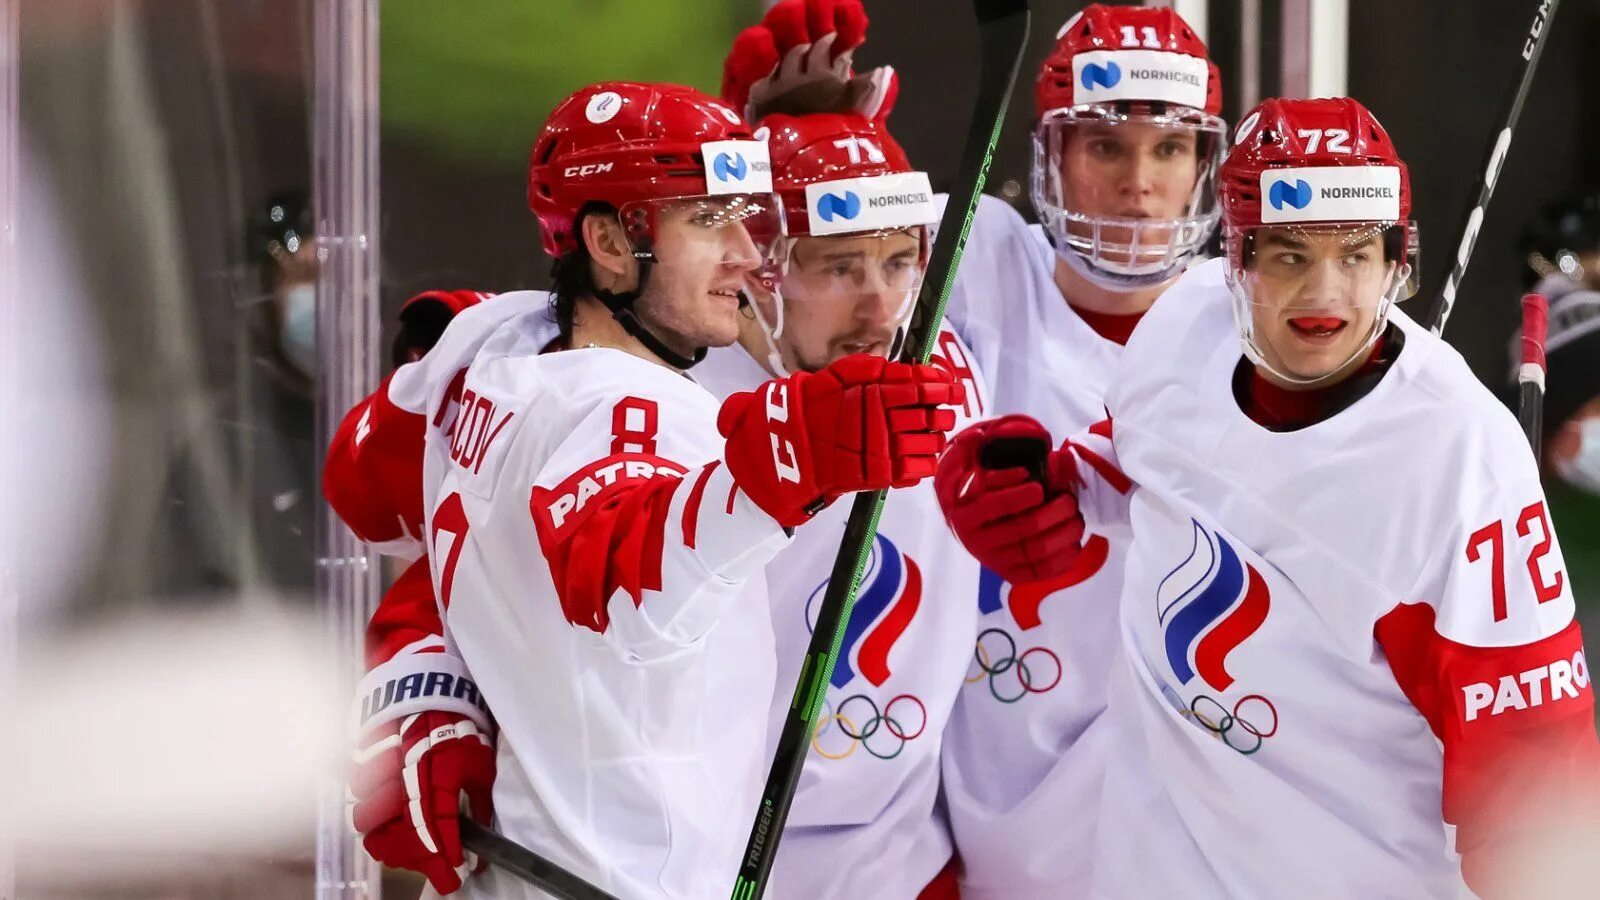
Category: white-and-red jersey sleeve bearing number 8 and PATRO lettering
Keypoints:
(646, 532)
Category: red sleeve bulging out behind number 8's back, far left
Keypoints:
(374, 473)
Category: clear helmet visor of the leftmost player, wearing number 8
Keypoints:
(743, 231)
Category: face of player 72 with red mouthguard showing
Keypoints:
(1316, 297)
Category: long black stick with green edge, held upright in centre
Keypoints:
(1002, 30)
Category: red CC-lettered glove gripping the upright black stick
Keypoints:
(862, 424)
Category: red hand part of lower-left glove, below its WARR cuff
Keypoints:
(409, 782)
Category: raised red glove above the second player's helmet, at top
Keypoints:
(799, 60)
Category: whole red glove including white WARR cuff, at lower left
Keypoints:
(418, 765)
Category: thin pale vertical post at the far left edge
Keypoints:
(10, 318)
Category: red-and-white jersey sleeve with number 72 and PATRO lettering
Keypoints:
(1492, 657)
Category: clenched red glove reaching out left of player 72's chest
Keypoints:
(1012, 500)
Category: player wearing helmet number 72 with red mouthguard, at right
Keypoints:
(1351, 664)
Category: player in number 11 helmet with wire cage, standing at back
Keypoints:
(1127, 142)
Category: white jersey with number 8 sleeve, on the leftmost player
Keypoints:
(601, 577)
